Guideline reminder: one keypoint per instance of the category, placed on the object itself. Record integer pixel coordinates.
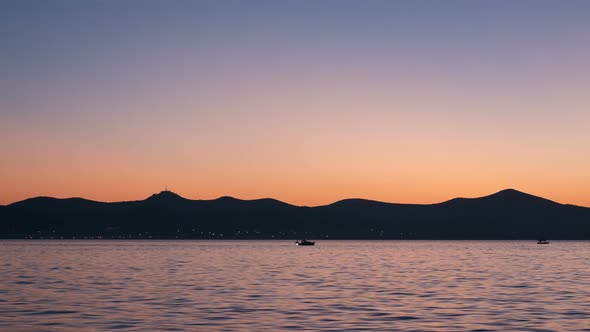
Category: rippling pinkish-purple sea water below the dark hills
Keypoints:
(274, 285)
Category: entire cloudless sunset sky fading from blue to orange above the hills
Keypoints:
(308, 102)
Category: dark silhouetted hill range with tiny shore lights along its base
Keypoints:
(508, 214)
